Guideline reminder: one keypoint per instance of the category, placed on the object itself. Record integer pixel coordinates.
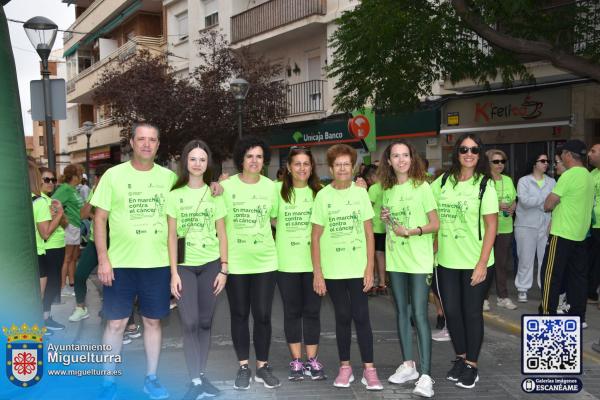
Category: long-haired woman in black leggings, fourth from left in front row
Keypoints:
(301, 305)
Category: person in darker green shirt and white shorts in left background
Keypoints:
(67, 194)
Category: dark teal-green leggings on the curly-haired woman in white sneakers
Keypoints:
(411, 292)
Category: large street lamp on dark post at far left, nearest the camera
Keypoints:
(41, 33)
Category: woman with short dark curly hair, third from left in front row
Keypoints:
(250, 202)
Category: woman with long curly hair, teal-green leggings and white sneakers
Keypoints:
(409, 211)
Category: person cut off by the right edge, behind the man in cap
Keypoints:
(594, 240)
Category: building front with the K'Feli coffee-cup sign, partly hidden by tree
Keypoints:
(526, 119)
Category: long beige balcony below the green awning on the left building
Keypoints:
(80, 87)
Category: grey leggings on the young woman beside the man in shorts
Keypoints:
(196, 308)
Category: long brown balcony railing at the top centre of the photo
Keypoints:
(271, 15)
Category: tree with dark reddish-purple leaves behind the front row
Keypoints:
(198, 106)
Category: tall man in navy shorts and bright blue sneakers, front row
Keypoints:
(131, 198)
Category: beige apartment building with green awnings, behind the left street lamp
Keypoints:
(104, 34)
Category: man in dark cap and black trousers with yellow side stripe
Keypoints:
(571, 203)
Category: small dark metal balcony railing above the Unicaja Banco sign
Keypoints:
(305, 97)
